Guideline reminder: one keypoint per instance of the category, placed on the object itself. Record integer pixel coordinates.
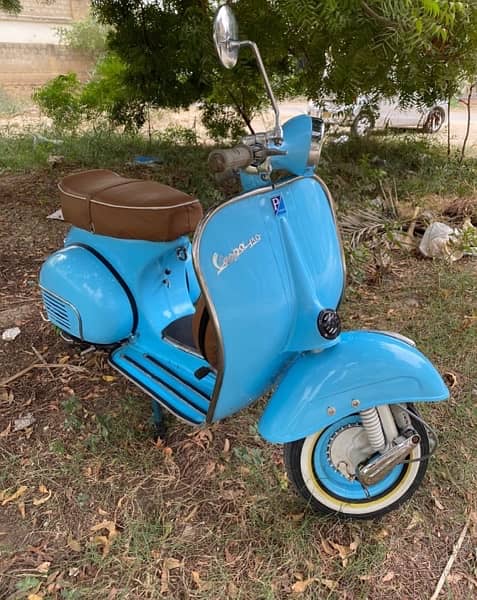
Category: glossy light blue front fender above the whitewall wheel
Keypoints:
(369, 367)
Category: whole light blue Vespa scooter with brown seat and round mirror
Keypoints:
(247, 309)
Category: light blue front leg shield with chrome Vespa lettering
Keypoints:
(268, 262)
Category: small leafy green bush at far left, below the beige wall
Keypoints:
(60, 99)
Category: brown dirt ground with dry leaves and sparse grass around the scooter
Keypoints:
(91, 508)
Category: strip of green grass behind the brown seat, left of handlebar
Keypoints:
(182, 161)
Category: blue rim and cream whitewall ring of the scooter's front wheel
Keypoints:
(331, 488)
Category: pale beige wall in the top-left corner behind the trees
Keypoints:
(29, 50)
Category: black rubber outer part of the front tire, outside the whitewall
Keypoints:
(292, 456)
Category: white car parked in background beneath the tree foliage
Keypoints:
(364, 116)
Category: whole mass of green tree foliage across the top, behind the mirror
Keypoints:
(420, 50)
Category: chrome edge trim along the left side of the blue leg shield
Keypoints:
(203, 287)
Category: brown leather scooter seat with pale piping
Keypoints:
(106, 203)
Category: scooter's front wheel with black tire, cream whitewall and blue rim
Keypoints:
(322, 467)
